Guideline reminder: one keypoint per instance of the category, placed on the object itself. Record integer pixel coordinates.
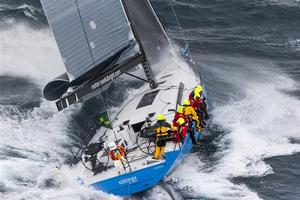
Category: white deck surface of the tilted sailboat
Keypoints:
(166, 99)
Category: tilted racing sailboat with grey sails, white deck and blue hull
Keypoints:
(99, 40)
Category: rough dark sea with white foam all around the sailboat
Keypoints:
(248, 55)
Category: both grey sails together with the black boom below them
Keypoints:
(99, 40)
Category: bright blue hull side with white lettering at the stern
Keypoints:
(145, 178)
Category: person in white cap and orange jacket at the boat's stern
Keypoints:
(118, 154)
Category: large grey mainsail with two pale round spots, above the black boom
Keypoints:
(90, 34)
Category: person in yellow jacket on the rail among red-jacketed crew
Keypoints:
(191, 114)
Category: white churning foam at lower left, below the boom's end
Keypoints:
(31, 147)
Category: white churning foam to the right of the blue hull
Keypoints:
(259, 125)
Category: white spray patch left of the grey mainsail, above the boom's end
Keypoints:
(30, 53)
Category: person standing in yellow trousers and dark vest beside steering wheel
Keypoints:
(162, 129)
